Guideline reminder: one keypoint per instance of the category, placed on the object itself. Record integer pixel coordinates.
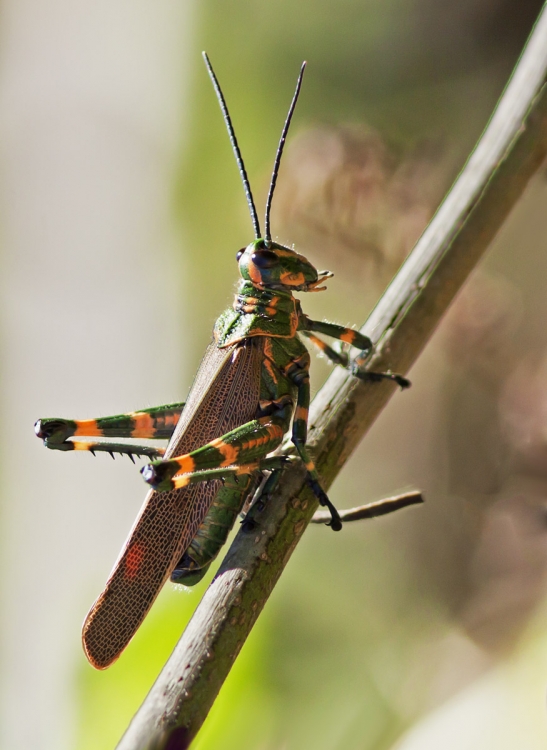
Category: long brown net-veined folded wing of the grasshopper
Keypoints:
(224, 395)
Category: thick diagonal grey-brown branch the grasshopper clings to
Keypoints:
(512, 148)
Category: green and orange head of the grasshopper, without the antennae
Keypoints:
(275, 266)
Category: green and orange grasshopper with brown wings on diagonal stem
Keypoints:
(252, 383)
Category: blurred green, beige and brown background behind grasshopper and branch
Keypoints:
(121, 215)
